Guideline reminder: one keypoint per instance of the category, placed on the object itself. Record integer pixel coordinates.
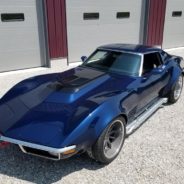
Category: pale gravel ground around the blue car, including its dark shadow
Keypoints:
(153, 154)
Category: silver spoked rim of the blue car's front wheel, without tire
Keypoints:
(114, 139)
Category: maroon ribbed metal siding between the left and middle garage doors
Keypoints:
(57, 34)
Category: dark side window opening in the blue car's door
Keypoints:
(151, 61)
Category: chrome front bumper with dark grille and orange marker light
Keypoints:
(42, 151)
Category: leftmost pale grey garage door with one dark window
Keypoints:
(21, 34)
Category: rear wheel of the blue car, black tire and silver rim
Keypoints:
(172, 97)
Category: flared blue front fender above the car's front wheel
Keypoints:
(88, 131)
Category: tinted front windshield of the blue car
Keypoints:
(112, 61)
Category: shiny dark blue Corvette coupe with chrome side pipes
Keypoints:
(92, 107)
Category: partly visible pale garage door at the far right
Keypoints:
(174, 24)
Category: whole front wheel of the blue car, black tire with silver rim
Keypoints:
(99, 150)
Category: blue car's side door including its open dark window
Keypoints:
(154, 78)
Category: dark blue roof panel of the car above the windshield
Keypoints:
(135, 48)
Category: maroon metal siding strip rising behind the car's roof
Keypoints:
(156, 19)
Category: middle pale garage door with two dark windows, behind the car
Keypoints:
(92, 23)
